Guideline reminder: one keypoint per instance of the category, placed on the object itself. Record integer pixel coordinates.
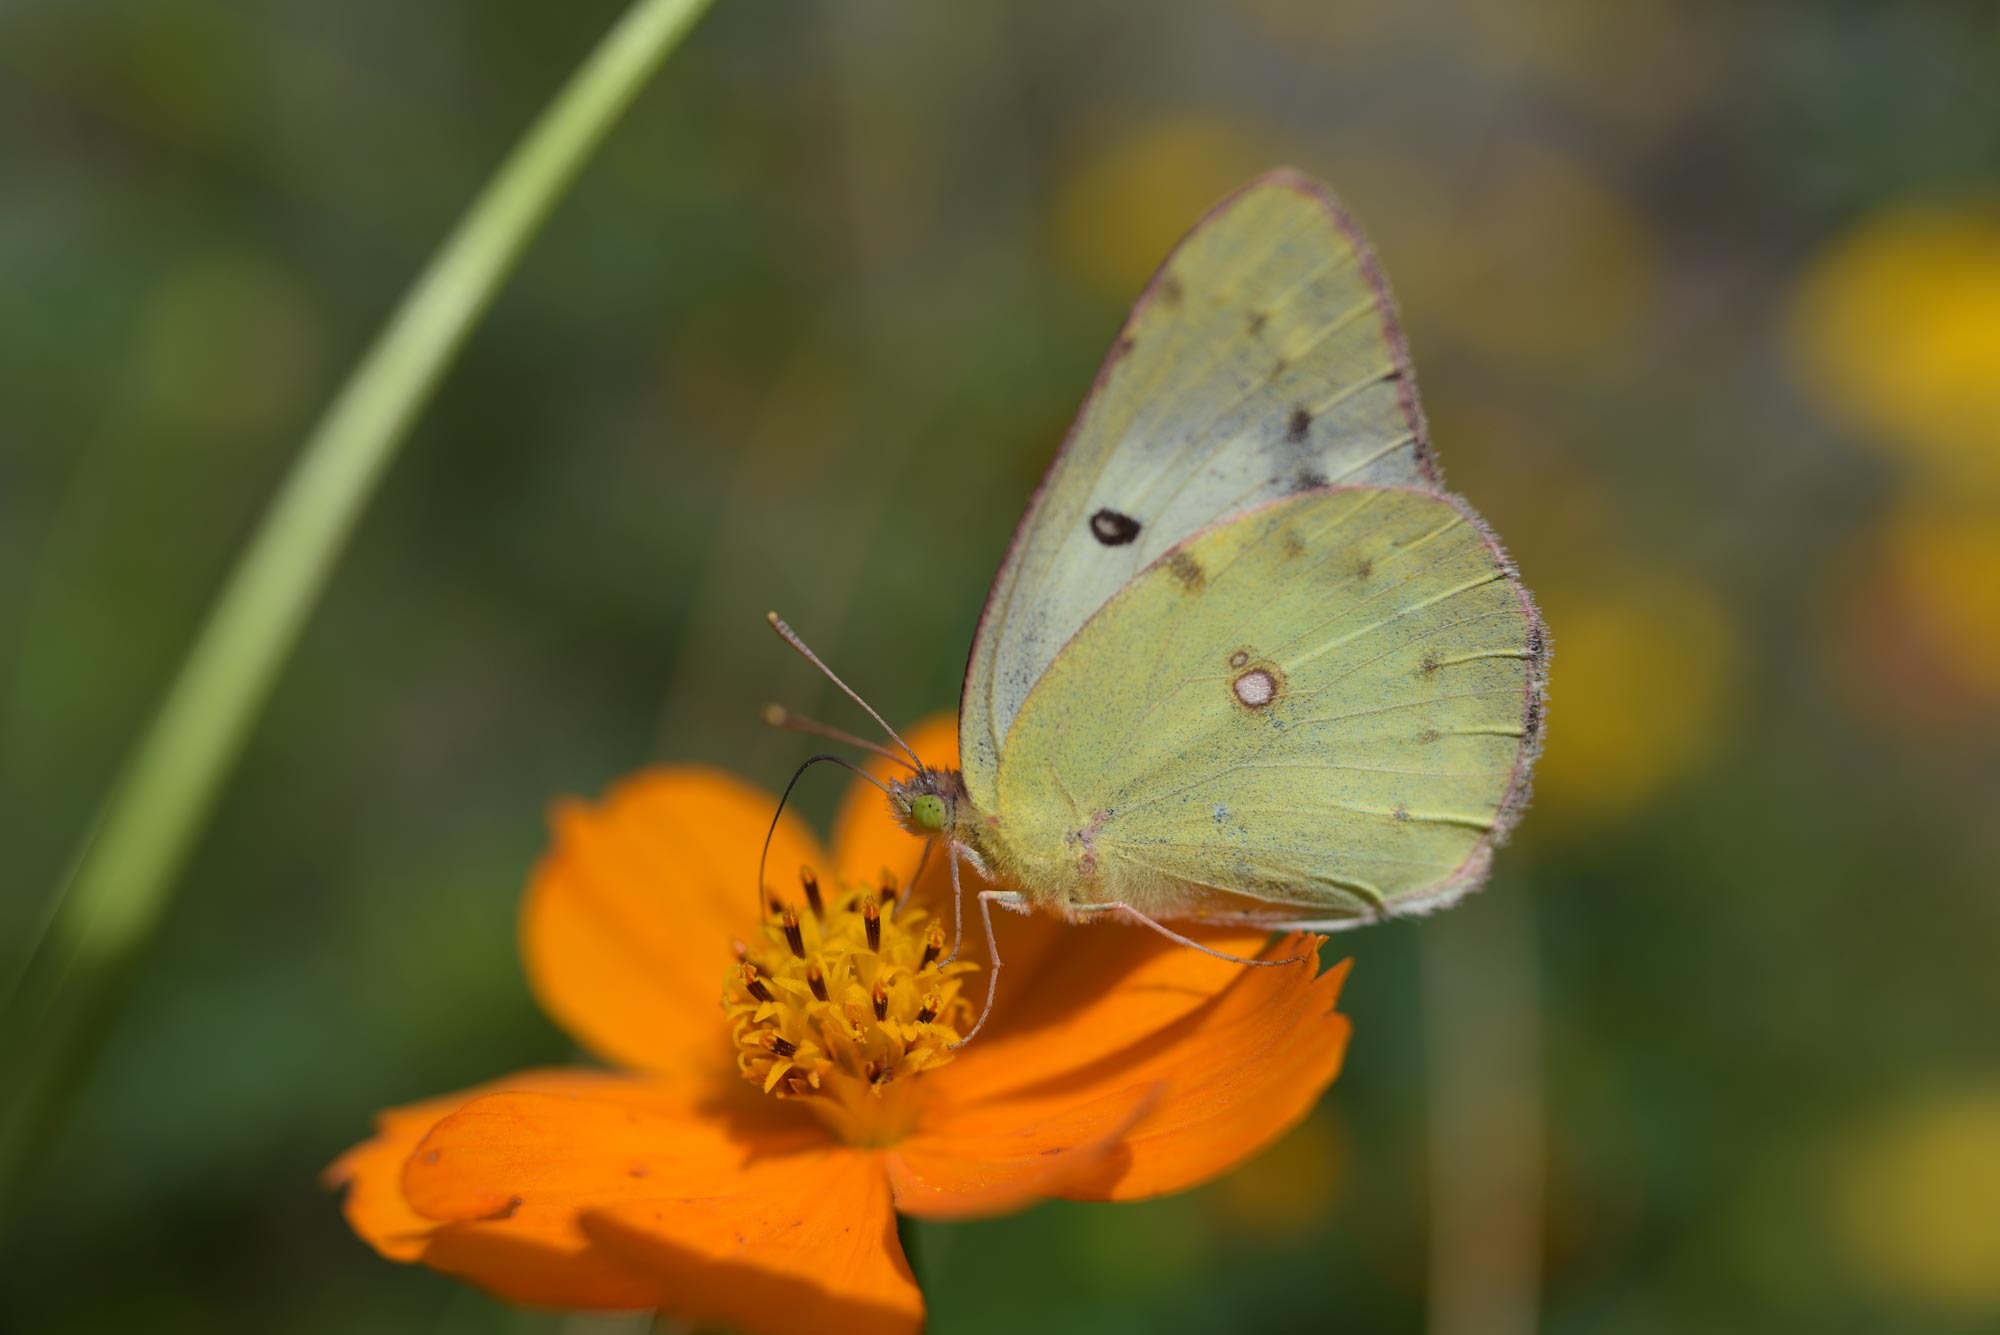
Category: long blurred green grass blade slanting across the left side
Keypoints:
(121, 882)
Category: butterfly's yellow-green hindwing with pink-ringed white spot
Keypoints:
(1321, 710)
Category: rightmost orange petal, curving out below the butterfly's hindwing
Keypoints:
(1237, 1072)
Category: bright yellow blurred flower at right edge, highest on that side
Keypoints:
(1895, 329)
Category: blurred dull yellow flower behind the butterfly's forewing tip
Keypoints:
(1129, 201)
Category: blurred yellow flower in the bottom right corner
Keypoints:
(1921, 1202)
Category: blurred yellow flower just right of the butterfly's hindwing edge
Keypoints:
(1639, 694)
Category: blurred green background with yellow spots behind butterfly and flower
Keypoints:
(1707, 313)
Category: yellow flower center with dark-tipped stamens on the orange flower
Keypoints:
(845, 1004)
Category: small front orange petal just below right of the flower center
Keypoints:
(991, 1162)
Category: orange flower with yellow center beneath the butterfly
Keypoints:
(749, 1168)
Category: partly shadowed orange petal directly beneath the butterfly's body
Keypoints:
(1097, 992)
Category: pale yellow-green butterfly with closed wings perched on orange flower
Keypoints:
(1247, 661)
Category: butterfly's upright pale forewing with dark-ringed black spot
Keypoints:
(1263, 361)
